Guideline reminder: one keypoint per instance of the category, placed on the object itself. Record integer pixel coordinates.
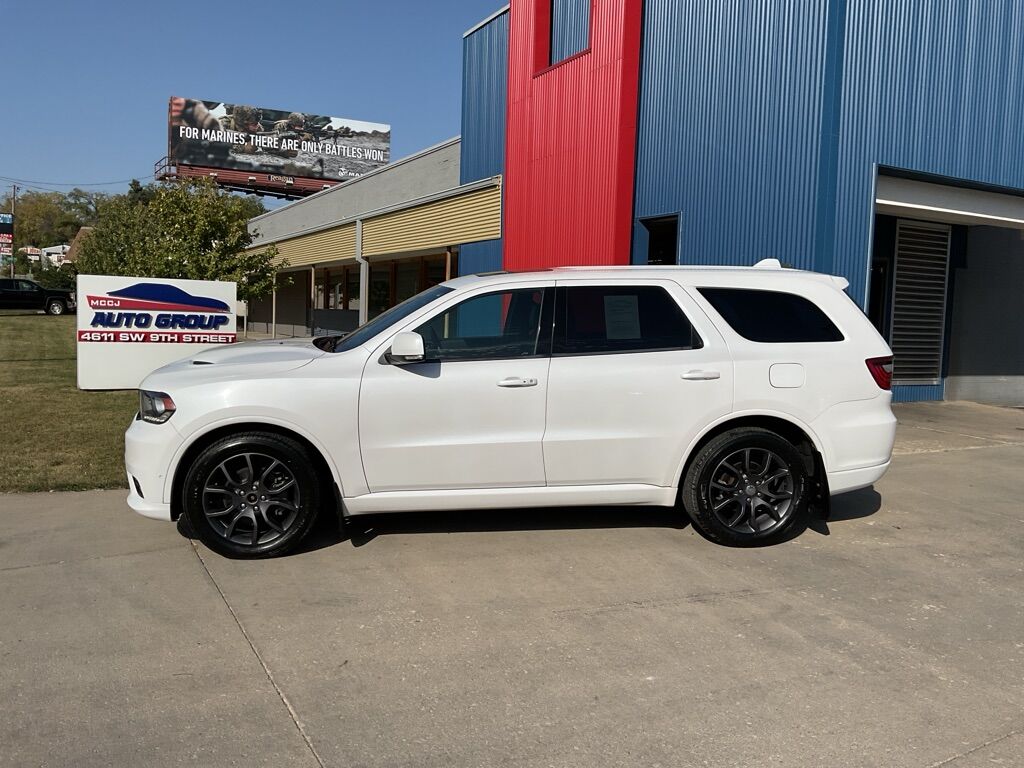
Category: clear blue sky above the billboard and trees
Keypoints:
(87, 84)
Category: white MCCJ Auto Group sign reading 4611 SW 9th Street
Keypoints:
(129, 327)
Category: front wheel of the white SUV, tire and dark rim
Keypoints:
(252, 495)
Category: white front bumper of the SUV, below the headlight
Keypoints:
(150, 449)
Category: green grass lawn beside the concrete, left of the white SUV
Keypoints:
(53, 436)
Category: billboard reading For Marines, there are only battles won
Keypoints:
(255, 140)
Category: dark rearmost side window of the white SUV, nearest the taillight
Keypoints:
(772, 317)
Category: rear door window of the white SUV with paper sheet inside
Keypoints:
(593, 320)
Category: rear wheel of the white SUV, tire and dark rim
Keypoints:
(748, 487)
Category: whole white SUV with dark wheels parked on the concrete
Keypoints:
(745, 395)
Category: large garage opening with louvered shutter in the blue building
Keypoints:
(946, 291)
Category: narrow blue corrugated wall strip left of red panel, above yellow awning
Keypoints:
(485, 98)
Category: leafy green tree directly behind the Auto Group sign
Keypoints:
(192, 231)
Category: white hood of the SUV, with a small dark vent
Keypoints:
(245, 361)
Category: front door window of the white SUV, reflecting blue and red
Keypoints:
(495, 326)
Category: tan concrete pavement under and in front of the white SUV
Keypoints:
(892, 635)
